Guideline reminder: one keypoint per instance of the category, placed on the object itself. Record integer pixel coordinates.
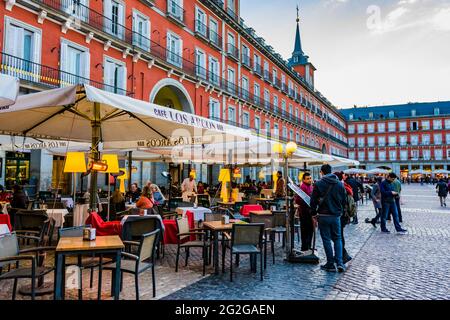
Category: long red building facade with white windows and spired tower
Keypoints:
(193, 55)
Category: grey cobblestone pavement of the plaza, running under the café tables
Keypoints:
(393, 266)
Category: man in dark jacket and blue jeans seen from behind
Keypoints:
(328, 201)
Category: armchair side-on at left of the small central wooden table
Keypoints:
(184, 233)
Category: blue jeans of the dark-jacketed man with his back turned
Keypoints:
(330, 230)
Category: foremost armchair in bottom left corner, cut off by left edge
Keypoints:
(10, 253)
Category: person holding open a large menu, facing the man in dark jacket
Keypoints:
(306, 220)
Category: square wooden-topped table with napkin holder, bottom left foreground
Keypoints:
(78, 246)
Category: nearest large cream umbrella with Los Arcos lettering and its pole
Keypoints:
(87, 114)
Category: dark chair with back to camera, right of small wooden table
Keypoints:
(247, 239)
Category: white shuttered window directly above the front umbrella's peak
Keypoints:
(75, 60)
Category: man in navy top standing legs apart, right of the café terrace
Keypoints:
(388, 203)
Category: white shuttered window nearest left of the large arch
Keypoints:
(115, 76)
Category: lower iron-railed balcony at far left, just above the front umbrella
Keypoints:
(45, 77)
